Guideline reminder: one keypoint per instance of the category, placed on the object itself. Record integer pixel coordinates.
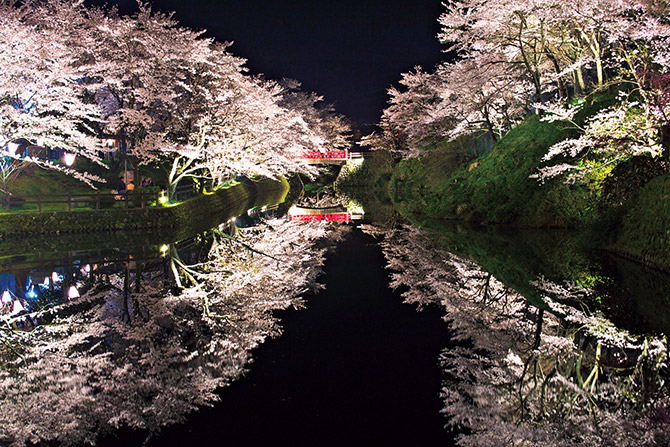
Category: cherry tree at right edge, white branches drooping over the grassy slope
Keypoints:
(639, 123)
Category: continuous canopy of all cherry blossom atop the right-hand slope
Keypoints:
(513, 56)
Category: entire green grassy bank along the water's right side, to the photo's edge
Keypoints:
(627, 212)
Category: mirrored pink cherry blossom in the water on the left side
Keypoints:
(128, 353)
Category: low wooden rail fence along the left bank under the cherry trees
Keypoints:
(131, 199)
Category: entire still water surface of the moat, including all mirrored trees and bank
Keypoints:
(504, 335)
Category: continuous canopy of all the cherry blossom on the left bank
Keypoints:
(177, 97)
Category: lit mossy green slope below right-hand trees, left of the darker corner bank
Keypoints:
(496, 187)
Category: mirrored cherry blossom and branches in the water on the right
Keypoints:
(526, 375)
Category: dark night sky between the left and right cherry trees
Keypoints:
(349, 51)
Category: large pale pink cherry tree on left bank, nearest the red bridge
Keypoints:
(186, 99)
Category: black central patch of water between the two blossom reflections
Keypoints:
(356, 366)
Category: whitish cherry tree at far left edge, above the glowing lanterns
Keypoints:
(44, 86)
